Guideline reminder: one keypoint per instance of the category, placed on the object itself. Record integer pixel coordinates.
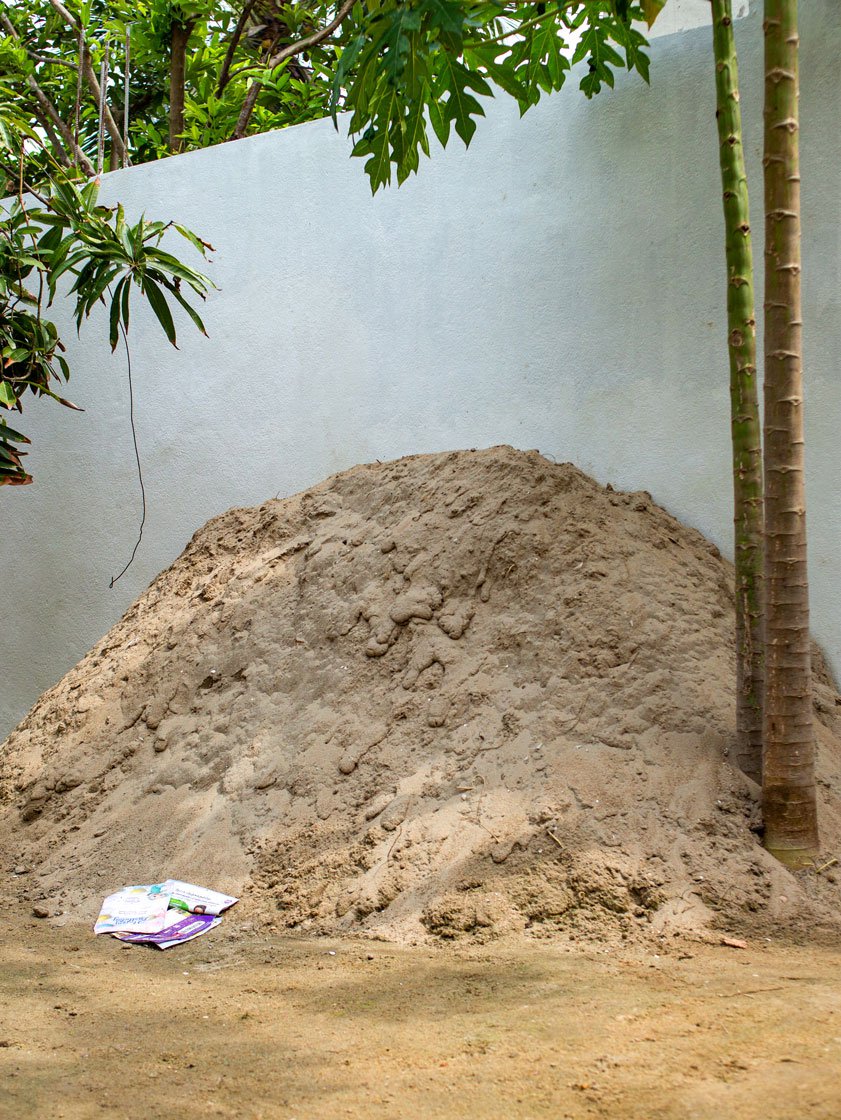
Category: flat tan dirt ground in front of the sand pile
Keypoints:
(247, 1023)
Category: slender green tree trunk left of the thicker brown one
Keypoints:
(747, 456)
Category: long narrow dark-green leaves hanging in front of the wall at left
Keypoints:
(60, 235)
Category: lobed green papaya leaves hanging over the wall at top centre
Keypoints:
(412, 66)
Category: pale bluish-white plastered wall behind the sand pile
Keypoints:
(559, 286)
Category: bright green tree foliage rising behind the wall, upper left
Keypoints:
(216, 86)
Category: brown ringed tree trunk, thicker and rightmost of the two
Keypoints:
(789, 788)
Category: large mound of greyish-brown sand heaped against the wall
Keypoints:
(466, 694)
